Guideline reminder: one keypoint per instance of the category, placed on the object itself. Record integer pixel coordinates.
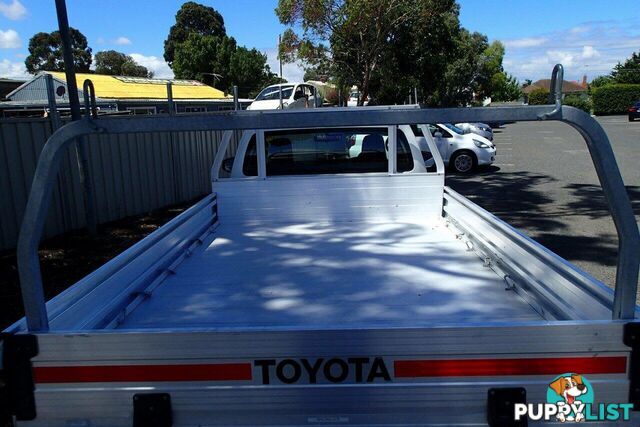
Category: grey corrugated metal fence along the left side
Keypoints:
(132, 174)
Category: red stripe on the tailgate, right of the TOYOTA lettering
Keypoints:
(491, 367)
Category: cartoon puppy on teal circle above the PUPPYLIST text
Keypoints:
(570, 392)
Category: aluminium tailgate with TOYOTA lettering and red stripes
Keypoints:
(330, 377)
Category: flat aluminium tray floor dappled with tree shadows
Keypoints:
(330, 276)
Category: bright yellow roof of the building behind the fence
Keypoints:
(117, 87)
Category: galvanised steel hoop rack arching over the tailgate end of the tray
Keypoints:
(593, 134)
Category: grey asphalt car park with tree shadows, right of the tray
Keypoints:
(543, 182)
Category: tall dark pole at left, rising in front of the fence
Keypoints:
(74, 104)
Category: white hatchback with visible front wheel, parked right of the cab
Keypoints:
(462, 152)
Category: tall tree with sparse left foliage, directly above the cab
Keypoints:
(356, 35)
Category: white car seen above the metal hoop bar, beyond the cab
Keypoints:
(294, 95)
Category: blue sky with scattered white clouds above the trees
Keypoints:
(587, 36)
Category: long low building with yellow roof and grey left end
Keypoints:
(135, 95)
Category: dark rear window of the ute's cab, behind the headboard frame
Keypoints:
(334, 151)
